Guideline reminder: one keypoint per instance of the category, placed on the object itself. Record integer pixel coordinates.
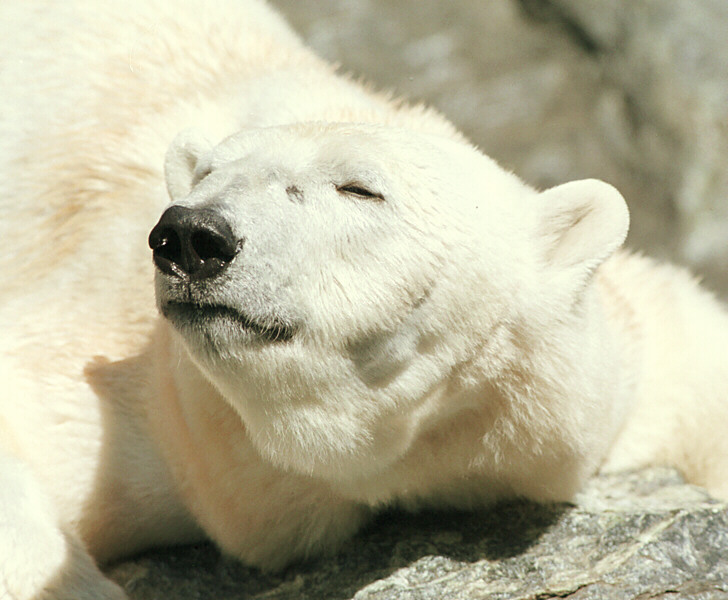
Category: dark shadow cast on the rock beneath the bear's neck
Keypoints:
(434, 541)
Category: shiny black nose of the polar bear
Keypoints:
(192, 242)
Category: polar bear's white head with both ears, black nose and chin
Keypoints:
(347, 287)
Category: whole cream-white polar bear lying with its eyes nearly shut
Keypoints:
(347, 305)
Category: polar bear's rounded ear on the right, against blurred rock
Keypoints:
(582, 223)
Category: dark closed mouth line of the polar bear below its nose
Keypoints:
(205, 315)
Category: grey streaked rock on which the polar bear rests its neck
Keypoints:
(633, 535)
